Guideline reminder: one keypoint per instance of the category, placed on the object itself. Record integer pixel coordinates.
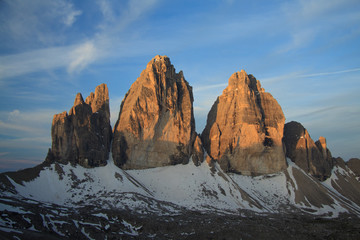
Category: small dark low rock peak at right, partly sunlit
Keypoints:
(313, 158)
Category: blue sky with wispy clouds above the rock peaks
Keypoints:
(306, 53)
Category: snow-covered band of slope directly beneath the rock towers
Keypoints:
(167, 189)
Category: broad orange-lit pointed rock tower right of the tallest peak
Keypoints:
(244, 128)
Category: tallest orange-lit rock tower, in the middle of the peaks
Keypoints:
(156, 125)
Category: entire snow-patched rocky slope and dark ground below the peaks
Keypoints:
(65, 201)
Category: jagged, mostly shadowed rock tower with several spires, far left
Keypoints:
(83, 136)
